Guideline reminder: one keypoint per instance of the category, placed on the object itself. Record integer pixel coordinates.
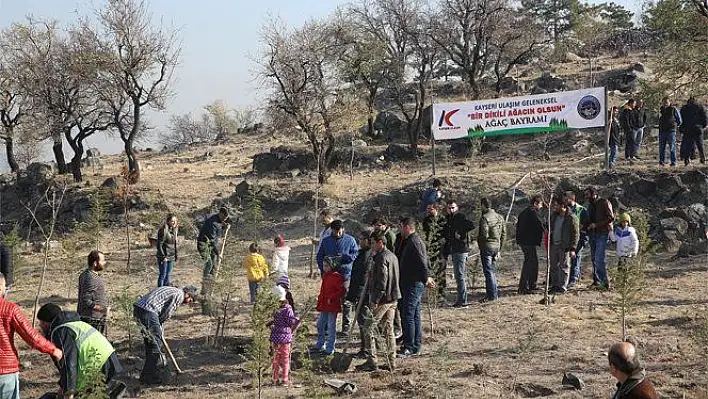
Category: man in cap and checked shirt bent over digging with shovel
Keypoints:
(151, 312)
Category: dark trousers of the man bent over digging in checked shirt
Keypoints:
(151, 328)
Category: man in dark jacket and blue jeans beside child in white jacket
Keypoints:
(600, 219)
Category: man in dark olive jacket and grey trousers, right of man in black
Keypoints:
(565, 232)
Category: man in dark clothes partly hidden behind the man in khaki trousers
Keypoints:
(361, 266)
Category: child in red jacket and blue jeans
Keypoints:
(329, 303)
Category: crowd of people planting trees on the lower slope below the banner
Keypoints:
(384, 275)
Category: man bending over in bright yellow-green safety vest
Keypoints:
(87, 353)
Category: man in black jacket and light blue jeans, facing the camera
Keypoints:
(457, 245)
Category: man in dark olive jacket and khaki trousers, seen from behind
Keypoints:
(384, 293)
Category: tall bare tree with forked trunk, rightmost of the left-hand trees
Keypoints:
(141, 61)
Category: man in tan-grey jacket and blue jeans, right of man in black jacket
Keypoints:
(492, 232)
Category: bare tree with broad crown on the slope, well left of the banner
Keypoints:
(300, 67)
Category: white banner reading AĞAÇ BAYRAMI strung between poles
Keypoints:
(552, 112)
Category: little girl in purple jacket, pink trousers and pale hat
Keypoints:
(281, 337)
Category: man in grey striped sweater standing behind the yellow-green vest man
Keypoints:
(92, 305)
